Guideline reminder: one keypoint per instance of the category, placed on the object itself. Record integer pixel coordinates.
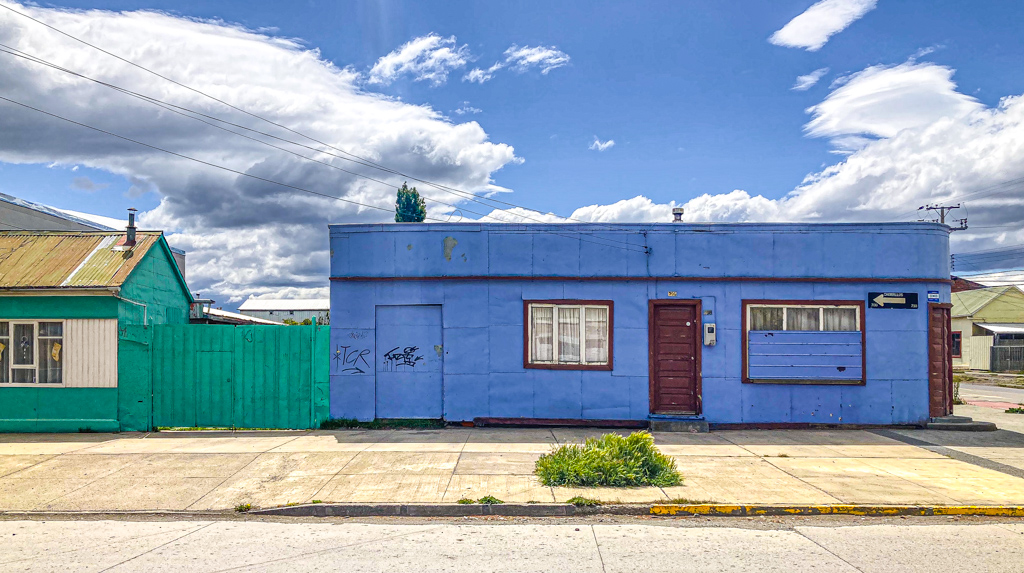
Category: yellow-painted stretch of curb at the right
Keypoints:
(743, 511)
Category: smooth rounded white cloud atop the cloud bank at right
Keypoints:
(881, 102)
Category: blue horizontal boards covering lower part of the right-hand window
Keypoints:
(804, 356)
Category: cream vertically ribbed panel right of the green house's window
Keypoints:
(91, 354)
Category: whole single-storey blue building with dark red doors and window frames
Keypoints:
(733, 324)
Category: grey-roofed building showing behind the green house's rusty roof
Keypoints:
(21, 215)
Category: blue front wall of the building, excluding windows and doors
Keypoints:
(501, 267)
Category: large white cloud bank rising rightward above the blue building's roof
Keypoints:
(970, 156)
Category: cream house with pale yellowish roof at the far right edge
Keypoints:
(984, 319)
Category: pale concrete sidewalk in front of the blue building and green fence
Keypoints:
(219, 471)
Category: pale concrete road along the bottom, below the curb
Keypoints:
(655, 546)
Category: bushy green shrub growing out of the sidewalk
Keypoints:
(609, 461)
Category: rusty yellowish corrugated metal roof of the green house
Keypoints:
(69, 259)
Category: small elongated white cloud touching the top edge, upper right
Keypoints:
(814, 28)
